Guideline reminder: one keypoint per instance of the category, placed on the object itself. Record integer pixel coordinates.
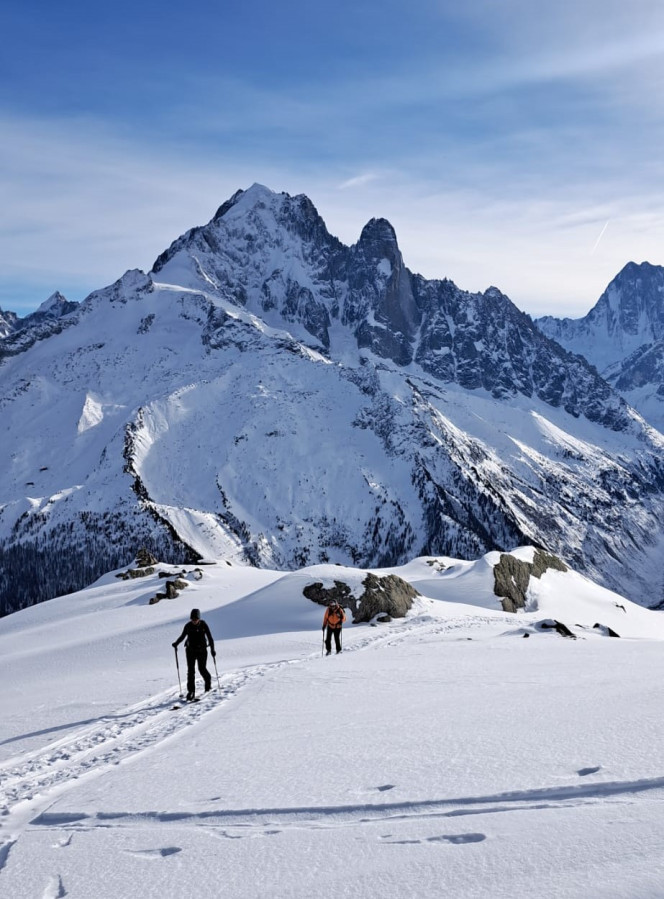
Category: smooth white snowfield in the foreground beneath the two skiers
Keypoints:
(440, 755)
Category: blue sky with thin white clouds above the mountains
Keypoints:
(509, 143)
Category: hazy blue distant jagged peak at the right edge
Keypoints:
(623, 336)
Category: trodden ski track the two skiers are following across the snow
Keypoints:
(31, 781)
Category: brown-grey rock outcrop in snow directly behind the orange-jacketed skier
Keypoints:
(390, 595)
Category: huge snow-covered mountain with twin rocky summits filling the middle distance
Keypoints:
(269, 395)
